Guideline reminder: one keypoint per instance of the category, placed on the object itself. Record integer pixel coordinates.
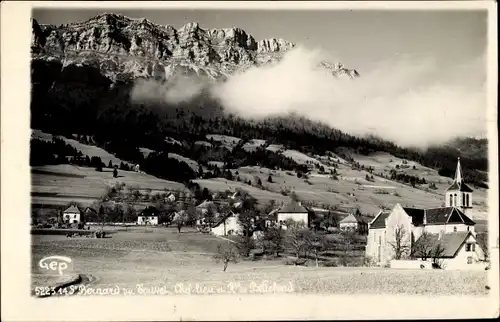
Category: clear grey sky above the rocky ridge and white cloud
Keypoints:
(358, 38)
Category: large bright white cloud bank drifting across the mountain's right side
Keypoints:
(410, 101)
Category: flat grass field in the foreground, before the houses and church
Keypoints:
(182, 263)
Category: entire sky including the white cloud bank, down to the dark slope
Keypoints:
(422, 72)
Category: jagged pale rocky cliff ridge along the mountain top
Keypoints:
(123, 48)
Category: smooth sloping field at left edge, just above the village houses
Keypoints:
(50, 184)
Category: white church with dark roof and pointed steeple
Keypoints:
(451, 227)
